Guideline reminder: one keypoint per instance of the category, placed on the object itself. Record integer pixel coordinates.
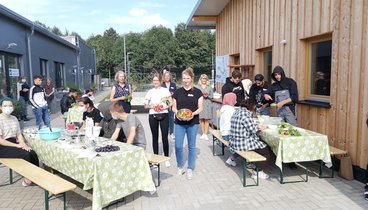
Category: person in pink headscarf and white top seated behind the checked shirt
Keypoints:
(227, 110)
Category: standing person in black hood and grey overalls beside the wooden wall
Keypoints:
(284, 92)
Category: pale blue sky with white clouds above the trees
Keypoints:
(92, 17)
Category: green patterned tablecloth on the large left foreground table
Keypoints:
(112, 176)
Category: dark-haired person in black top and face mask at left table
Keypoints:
(87, 107)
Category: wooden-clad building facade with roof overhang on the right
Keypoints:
(309, 39)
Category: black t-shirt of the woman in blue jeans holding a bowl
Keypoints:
(187, 99)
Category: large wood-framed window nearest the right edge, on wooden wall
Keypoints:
(320, 68)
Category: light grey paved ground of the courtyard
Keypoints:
(214, 186)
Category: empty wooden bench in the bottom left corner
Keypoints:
(51, 183)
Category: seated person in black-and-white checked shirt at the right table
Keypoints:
(244, 136)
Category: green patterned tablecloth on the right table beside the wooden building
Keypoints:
(308, 147)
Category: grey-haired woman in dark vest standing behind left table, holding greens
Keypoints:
(121, 91)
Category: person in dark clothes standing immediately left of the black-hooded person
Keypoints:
(256, 93)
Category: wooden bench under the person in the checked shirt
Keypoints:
(248, 156)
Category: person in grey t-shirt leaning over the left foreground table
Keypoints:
(131, 125)
